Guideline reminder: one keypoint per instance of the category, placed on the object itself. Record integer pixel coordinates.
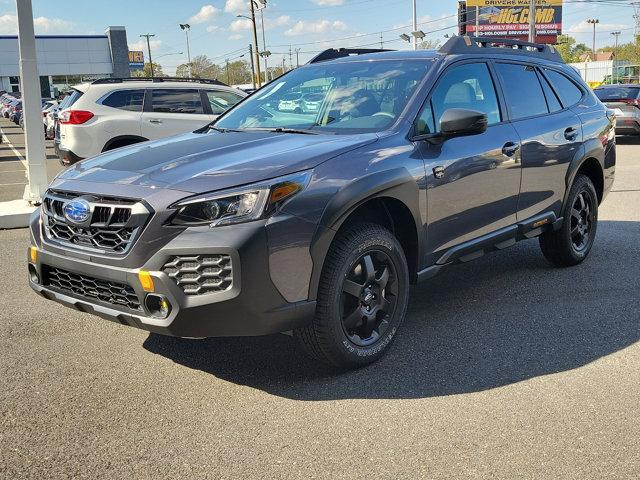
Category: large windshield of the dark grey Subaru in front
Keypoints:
(353, 97)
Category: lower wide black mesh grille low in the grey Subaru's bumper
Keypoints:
(91, 288)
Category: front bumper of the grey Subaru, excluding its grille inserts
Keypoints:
(251, 306)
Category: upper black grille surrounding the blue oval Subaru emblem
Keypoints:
(112, 227)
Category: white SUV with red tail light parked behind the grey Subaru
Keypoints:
(113, 112)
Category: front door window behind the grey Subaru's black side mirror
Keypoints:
(466, 86)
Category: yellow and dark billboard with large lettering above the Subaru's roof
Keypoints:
(510, 18)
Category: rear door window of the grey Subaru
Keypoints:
(522, 90)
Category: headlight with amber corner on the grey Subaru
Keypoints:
(240, 205)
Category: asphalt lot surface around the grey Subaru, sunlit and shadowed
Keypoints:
(505, 368)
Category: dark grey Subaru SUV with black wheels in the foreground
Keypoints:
(318, 224)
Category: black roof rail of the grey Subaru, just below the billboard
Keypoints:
(464, 45)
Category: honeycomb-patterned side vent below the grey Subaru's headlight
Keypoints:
(200, 274)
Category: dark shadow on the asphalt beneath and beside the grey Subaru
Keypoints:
(493, 322)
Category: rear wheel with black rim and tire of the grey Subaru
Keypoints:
(571, 244)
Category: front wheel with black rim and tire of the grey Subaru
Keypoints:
(362, 298)
